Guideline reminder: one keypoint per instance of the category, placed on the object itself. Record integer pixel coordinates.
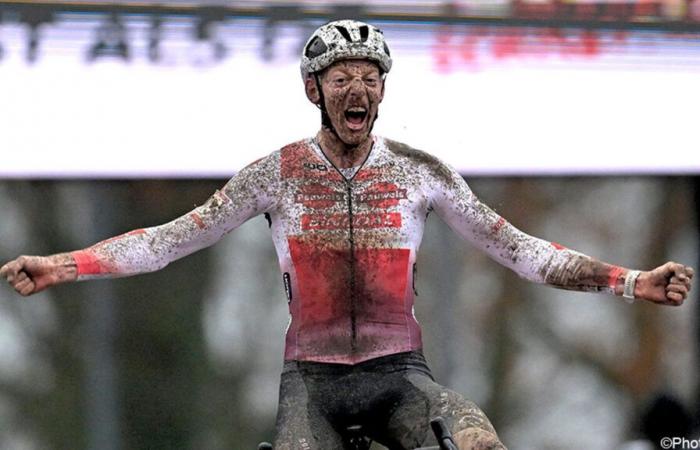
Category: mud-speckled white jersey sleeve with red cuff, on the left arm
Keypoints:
(247, 194)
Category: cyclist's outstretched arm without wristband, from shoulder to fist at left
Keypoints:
(145, 250)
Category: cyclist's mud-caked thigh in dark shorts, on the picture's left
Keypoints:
(300, 424)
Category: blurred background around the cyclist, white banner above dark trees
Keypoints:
(575, 119)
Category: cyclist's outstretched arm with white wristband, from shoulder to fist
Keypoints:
(547, 262)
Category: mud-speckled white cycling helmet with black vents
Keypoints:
(344, 39)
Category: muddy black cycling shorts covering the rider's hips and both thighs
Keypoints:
(393, 398)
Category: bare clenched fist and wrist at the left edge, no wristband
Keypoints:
(31, 274)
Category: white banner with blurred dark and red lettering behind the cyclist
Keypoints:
(486, 100)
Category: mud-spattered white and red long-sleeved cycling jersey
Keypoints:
(347, 241)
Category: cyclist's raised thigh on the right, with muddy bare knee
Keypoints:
(423, 400)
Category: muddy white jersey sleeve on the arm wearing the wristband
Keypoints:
(531, 258)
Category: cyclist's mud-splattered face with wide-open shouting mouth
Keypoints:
(352, 91)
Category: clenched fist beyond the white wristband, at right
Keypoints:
(667, 285)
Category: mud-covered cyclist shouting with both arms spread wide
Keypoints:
(346, 210)
